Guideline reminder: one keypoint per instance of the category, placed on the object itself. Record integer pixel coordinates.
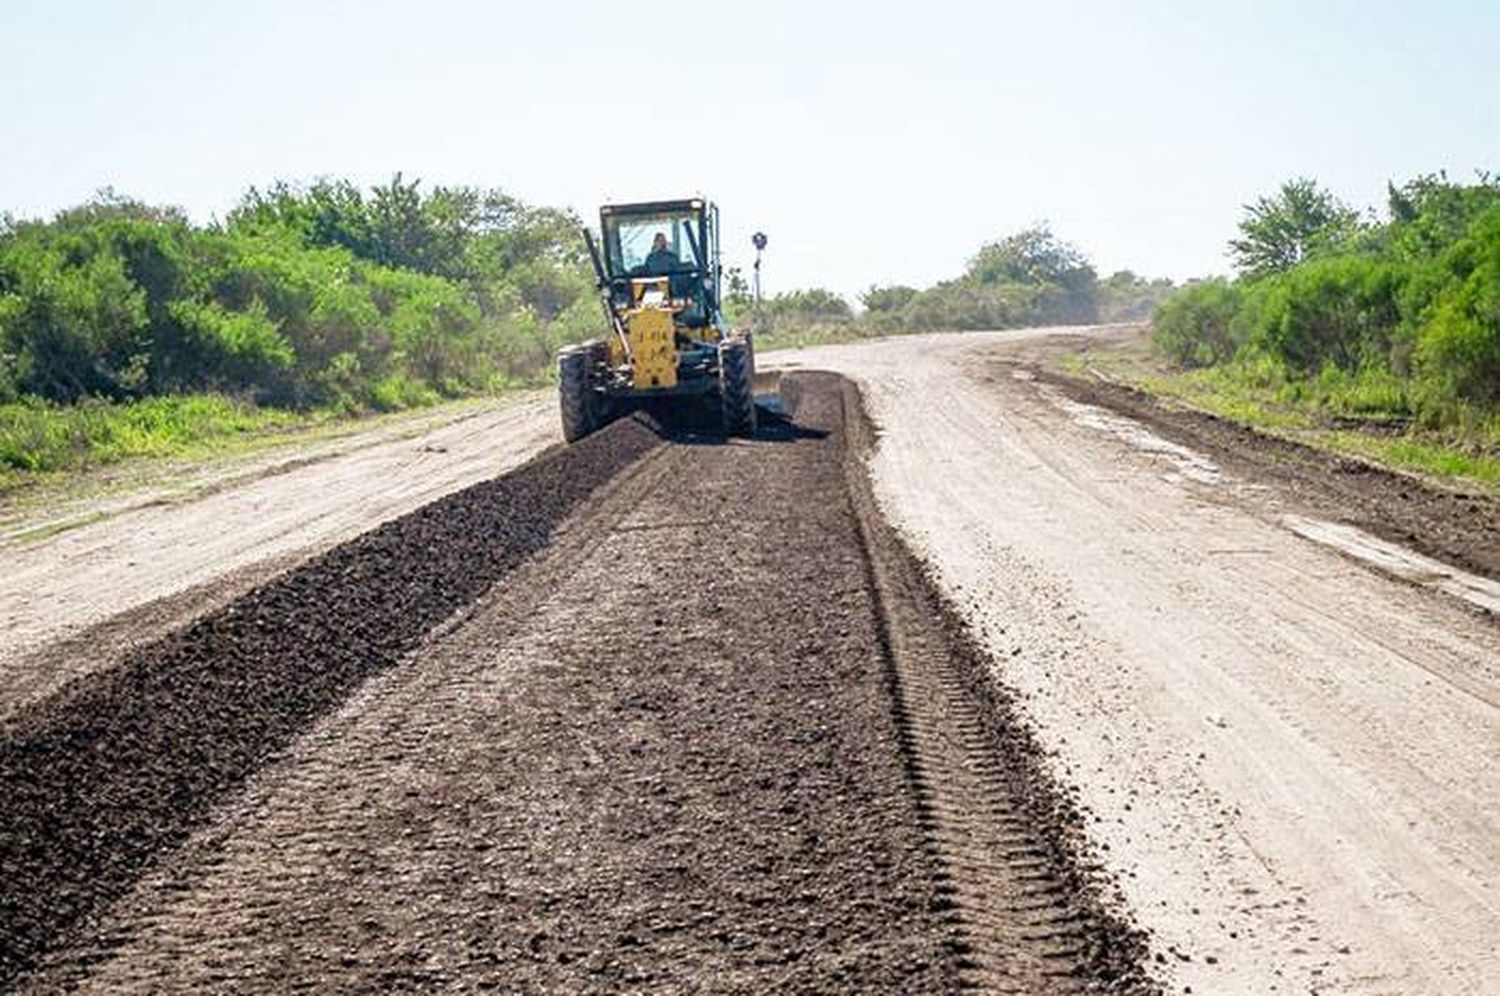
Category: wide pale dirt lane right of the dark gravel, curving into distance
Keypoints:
(1291, 758)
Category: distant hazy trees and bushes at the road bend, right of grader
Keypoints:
(1030, 278)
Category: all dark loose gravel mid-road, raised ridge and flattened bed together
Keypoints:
(719, 734)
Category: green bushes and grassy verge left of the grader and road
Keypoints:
(127, 329)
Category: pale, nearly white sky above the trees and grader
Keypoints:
(874, 143)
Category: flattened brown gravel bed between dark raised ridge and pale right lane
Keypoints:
(718, 736)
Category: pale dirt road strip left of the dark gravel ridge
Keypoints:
(142, 565)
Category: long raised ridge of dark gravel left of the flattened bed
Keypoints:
(103, 776)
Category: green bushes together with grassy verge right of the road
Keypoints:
(1382, 329)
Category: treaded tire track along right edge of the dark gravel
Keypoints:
(1036, 913)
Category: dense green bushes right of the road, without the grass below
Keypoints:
(1405, 311)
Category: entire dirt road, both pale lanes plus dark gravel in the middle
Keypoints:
(662, 713)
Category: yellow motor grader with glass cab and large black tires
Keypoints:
(668, 346)
